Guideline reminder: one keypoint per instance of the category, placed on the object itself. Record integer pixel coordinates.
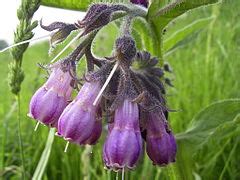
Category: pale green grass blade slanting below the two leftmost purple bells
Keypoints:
(45, 156)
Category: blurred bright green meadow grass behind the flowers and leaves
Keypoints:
(206, 70)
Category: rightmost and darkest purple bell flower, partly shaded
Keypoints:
(161, 144)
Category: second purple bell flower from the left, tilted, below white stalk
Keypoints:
(80, 122)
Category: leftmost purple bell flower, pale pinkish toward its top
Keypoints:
(49, 101)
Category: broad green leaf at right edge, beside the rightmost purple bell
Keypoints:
(218, 117)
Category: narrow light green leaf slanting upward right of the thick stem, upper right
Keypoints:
(183, 33)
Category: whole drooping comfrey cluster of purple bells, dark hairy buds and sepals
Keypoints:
(126, 90)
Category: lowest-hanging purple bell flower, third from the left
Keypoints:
(123, 146)
